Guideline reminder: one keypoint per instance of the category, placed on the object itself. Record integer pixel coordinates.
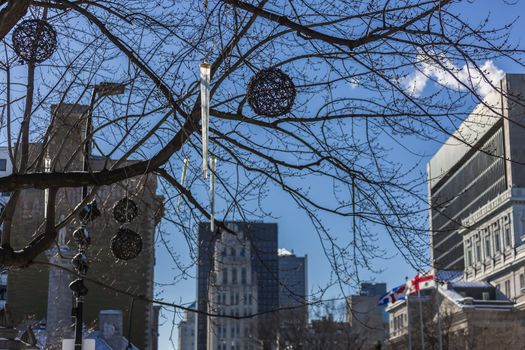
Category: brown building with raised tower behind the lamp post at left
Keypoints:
(34, 292)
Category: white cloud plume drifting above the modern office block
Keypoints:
(448, 75)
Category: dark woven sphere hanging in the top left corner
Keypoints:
(34, 40)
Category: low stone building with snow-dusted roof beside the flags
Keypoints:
(455, 316)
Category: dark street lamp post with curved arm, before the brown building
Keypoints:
(89, 212)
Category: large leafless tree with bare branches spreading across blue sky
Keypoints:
(354, 64)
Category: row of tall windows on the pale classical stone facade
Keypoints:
(488, 242)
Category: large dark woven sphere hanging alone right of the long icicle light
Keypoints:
(271, 93)
